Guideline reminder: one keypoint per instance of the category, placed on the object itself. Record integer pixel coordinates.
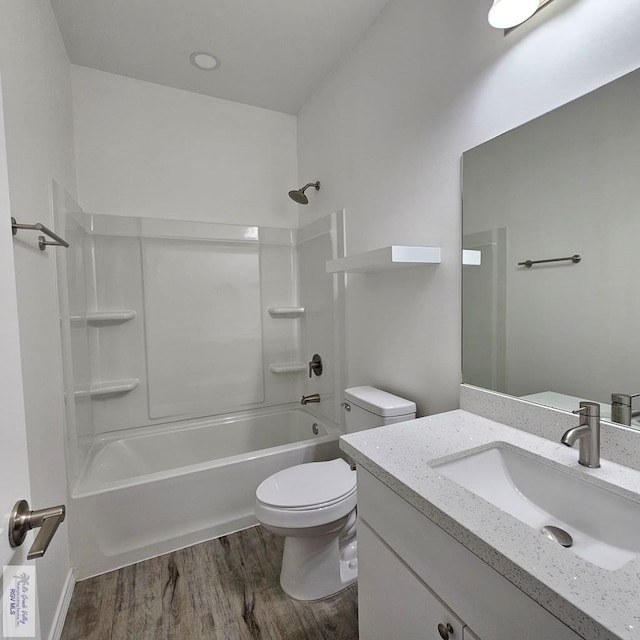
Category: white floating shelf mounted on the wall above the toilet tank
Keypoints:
(390, 257)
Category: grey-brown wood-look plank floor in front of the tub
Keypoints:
(224, 589)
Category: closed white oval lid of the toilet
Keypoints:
(308, 485)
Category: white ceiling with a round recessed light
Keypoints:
(273, 53)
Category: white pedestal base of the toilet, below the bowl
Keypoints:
(317, 567)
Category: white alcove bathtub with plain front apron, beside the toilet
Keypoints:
(167, 487)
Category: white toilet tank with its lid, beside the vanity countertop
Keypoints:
(368, 407)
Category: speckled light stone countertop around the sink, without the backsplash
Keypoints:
(596, 603)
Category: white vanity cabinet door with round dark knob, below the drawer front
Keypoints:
(392, 601)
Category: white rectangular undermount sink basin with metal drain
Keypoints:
(605, 526)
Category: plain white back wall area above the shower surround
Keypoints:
(148, 150)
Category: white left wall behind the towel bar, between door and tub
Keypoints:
(36, 88)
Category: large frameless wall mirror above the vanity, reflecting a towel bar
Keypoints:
(565, 184)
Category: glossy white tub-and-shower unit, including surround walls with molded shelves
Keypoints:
(180, 396)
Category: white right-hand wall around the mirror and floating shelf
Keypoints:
(385, 134)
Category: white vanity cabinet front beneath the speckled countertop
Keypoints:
(413, 576)
